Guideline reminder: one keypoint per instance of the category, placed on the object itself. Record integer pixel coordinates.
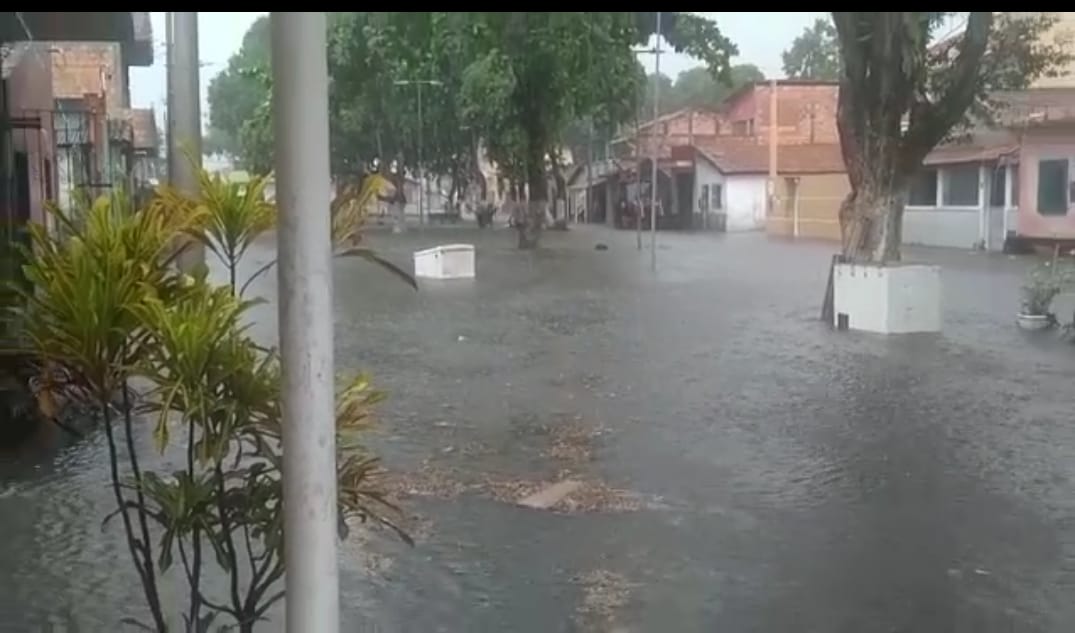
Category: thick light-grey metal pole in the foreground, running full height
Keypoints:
(300, 118)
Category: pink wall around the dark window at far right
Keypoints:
(1039, 146)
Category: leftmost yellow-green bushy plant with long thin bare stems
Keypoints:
(81, 313)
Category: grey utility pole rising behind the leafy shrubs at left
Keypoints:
(185, 106)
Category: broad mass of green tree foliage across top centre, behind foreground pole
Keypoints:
(515, 83)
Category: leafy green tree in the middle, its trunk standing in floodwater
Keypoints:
(535, 73)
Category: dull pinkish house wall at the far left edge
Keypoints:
(31, 95)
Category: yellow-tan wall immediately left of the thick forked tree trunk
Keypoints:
(820, 197)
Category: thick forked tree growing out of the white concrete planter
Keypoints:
(900, 96)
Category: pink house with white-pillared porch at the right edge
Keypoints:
(1004, 186)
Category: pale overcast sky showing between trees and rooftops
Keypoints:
(761, 37)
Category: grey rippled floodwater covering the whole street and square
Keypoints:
(783, 477)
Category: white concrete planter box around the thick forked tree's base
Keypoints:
(895, 299)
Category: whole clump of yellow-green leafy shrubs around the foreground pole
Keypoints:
(107, 305)
